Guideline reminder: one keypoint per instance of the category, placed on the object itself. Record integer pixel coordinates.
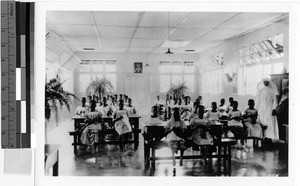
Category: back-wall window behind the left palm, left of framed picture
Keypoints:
(96, 69)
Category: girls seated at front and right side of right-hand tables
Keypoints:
(179, 139)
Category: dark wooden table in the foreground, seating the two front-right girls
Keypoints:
(154, 131)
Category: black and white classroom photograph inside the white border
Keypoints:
(213, 99)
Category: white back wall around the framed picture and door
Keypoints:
(125, 65)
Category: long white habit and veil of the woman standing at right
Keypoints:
(266, 102)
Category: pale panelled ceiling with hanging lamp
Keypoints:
(106, 31)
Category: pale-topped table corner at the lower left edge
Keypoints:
(52, 158)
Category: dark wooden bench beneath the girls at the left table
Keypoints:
(77, 142)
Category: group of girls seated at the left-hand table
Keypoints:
(96, 109)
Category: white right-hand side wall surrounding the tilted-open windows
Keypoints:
(231, 61)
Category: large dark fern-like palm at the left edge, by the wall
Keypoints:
(55, 96)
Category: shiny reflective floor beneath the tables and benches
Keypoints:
(109, 161)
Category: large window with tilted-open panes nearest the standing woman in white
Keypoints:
(258, 61)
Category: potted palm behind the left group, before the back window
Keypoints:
(99, 87)
